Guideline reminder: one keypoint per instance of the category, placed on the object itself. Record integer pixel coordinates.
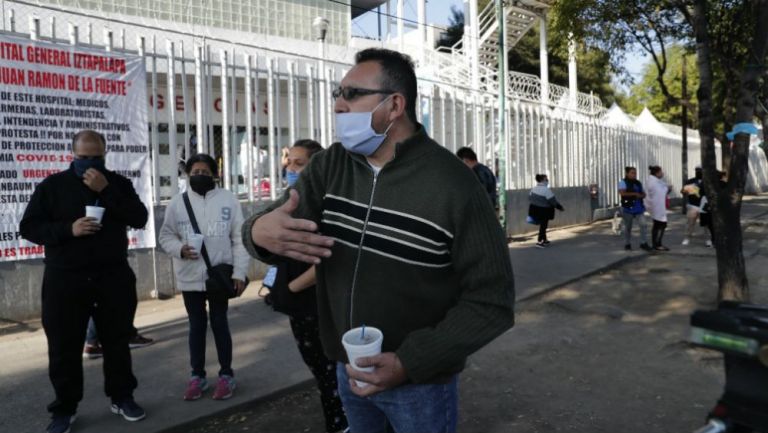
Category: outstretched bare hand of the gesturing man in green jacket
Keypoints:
(280, 233)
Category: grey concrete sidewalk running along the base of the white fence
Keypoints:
(265, 358)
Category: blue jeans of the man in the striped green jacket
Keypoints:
(431, 408)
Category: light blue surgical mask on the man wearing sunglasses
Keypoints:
(356, 133)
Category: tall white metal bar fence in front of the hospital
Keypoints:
(244, 104)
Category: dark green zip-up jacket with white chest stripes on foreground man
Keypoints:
(418, 254)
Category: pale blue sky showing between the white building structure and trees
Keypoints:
(438, 13)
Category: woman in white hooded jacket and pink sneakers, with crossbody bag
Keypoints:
(219, 218)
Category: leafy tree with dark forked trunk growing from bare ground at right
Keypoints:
(730, 39)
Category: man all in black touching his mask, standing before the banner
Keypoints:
(86, 274)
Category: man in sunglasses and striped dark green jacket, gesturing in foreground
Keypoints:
(405, 240)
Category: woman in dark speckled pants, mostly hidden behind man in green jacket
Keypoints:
(295, 295)
